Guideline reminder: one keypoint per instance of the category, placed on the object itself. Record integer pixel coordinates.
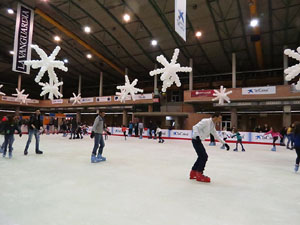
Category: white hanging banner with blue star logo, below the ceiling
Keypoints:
(180, 18)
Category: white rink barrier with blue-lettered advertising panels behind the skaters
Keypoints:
(247, 137)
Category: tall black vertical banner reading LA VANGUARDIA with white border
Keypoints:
(23, 38)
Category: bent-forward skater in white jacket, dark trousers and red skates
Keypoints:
(200, 132)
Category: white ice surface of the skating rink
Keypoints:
(144, 182)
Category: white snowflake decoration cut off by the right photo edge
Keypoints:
(293, 71)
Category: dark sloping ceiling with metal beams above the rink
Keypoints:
(223, 23)
